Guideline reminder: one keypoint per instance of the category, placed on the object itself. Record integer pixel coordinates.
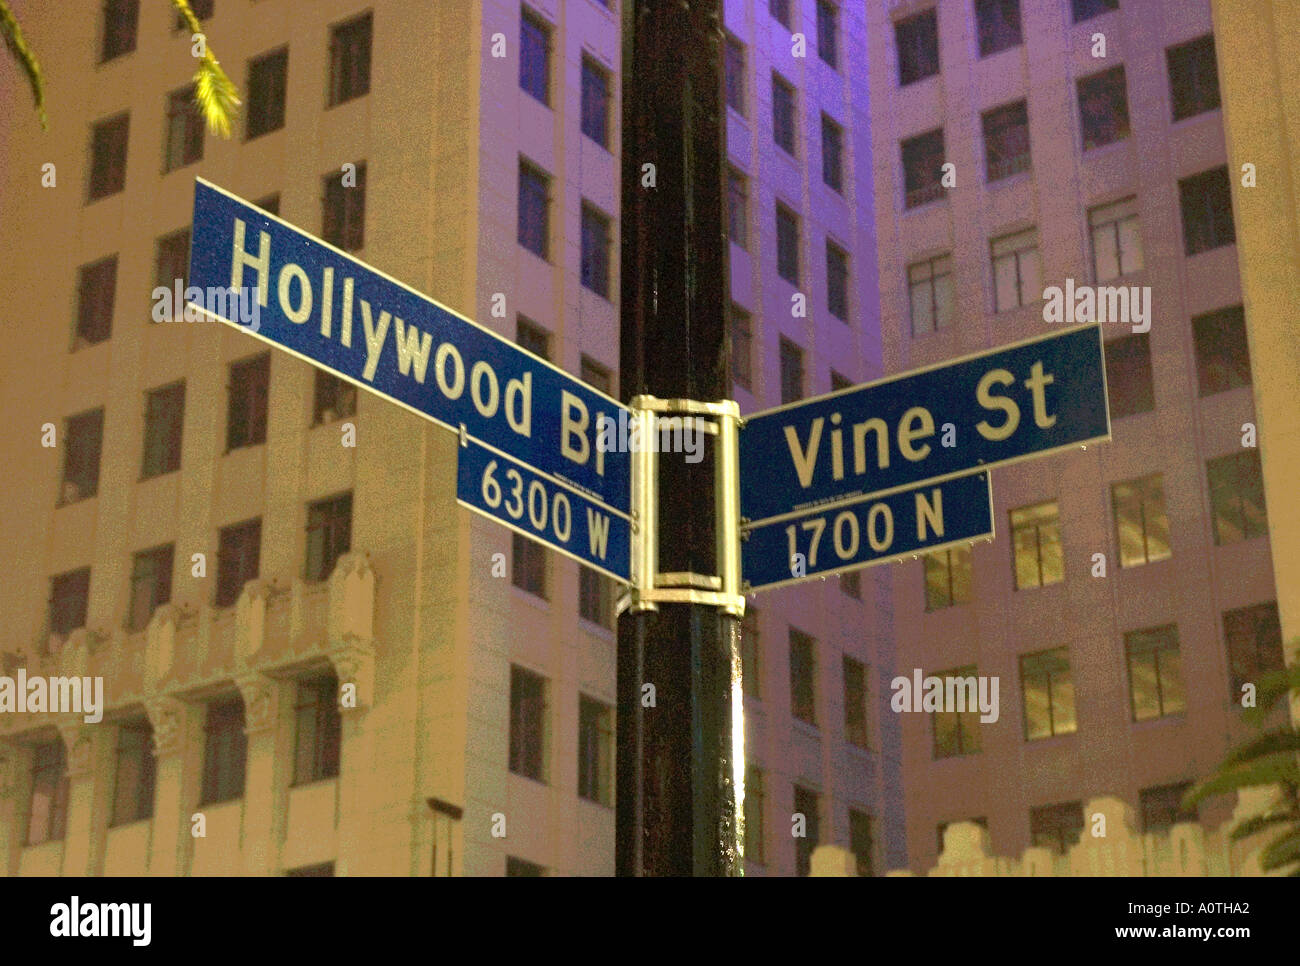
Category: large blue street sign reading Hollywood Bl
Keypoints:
(296, 292)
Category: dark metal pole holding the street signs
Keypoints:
(675, 800)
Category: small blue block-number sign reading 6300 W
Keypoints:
(506, 491)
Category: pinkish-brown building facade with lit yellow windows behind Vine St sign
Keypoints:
(1129, 595)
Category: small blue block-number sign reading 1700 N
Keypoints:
(870, 531)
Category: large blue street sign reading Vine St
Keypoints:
(996, 408)
